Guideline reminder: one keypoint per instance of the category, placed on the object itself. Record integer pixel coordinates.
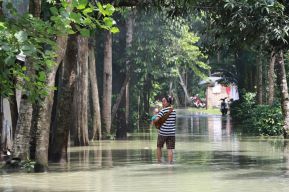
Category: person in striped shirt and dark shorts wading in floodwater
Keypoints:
(167, 131)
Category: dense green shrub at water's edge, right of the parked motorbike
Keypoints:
(257, 119)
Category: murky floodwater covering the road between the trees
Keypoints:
(209, 157)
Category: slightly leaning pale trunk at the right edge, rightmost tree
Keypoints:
(282, 83)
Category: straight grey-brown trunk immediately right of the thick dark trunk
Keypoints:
(81, 94)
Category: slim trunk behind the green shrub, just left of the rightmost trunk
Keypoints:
(271, 77)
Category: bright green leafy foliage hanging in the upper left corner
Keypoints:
(35, 38)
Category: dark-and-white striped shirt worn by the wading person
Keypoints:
(169, 127)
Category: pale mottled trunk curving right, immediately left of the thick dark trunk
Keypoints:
(45, 108)
